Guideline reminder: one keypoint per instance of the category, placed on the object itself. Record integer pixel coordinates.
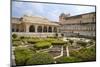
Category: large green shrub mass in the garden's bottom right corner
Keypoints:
(86, 54)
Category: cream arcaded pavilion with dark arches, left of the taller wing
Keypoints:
(34, 26)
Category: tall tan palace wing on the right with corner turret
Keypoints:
(79, 25)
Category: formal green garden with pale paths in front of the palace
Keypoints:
(51, 50)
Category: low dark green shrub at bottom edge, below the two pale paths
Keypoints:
(65, 59)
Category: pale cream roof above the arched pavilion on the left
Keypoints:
(33, 19)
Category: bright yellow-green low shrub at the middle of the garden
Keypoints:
(42, 45)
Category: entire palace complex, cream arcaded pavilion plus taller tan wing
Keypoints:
(78, 25)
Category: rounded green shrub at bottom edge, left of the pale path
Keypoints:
(40, 58)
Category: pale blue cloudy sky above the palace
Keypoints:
(49, 11)
